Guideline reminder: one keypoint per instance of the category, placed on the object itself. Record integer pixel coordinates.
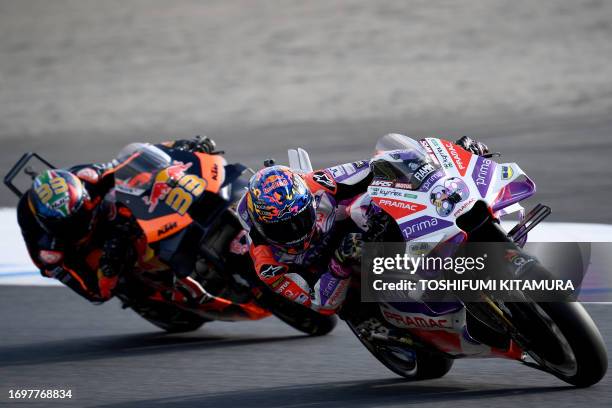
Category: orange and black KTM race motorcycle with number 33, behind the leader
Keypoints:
(184, 202)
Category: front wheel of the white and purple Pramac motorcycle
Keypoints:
(563, 339)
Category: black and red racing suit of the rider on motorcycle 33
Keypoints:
(92, 265)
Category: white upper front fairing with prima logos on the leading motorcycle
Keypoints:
(424, 214)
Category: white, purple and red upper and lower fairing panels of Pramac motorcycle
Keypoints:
(426, 214)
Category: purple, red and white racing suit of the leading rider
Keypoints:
(297, 276)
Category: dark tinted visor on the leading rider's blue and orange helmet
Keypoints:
(293, 231)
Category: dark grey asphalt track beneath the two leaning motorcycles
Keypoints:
(110, 357)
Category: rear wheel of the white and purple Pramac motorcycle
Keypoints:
(414, 365)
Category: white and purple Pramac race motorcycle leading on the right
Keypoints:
(433, 191)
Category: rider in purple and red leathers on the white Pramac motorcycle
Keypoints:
(303, 240)
